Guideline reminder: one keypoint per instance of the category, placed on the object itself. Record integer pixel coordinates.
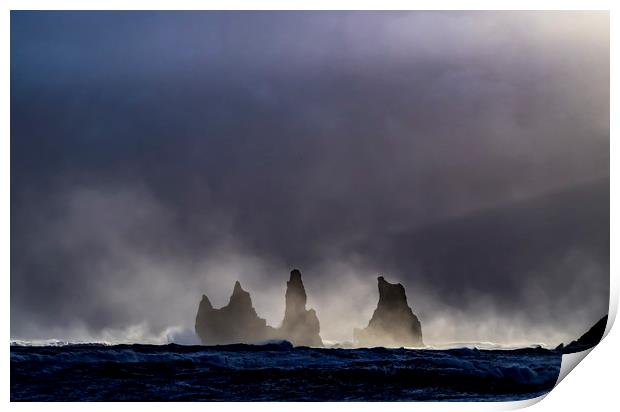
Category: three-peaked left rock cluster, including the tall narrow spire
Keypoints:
(238, 322)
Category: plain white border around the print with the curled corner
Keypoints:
(593, 385)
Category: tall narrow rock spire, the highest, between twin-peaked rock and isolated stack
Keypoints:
(300, 326)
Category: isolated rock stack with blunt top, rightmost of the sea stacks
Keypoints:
(393, 324)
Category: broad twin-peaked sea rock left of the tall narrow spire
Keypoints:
(236, 322)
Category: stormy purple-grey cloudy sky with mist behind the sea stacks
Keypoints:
(159, 156)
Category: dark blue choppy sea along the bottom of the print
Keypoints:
(277, 372)
